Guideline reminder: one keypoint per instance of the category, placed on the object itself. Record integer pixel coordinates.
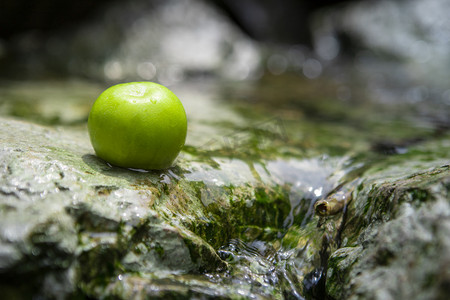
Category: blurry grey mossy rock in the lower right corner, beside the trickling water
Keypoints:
(400, 228)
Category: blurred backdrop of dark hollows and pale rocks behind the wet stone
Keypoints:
(398, 51)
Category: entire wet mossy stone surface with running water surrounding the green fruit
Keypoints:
(234, 218)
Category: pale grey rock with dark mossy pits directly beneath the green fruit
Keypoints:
(59, 214)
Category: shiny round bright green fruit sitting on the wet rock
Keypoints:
(138, 125)
